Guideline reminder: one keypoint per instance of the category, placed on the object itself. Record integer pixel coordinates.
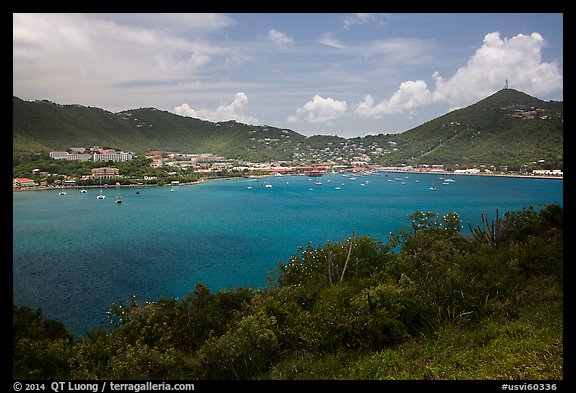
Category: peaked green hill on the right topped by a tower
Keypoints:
(506, 128)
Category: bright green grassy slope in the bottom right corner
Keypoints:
(527, 346)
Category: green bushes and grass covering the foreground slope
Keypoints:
(431, 303)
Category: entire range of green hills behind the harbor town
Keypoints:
(507, 128)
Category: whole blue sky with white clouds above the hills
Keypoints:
(315, 73)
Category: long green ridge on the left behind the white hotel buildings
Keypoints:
(44, 126)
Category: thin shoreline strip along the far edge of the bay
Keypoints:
(442, 173)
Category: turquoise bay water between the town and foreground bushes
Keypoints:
(75, 256)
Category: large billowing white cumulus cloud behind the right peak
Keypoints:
(518, 60)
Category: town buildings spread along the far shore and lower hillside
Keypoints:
(176, 168)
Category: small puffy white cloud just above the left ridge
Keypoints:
(224, 112)
